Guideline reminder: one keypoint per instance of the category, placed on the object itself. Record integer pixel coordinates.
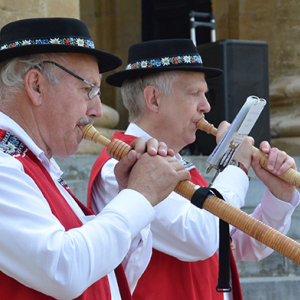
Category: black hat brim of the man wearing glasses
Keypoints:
(106, 61)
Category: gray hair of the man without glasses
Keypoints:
(133, 91)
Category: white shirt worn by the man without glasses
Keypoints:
(188, 233)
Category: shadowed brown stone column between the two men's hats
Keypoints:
(115, 26)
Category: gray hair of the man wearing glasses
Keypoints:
(12, 73)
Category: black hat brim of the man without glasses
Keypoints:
(117, 79)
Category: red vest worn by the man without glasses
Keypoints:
(166, 277)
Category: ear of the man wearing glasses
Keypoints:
(33, 80)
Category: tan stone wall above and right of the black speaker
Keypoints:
(276, 22)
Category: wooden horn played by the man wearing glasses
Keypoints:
(225, 211)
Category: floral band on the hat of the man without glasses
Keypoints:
(165, 61)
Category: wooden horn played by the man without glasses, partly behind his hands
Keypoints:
(291, 176)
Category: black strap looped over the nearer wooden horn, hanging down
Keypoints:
(198, 199)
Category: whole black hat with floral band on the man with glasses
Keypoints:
(52, 35)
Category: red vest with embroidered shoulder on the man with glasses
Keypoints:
(9, 287)
